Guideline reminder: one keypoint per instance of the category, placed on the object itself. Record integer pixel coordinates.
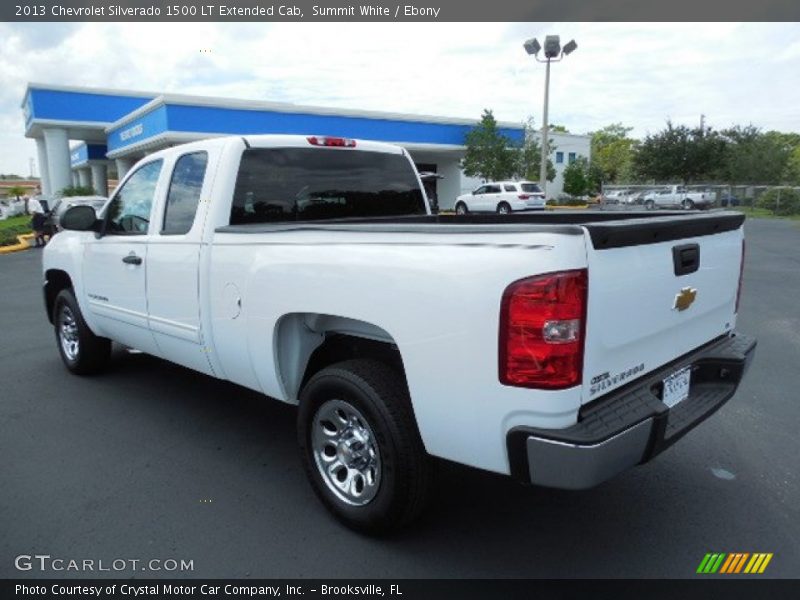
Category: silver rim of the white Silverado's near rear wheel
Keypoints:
(346, 452)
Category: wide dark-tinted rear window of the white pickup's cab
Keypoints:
(310, 184)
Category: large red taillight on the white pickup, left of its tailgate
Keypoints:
(542, 328)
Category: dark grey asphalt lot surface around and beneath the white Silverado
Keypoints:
(151, 460)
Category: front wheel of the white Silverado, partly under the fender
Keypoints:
(82, 351)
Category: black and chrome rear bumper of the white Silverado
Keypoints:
(630, 425)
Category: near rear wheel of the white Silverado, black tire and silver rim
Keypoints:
(359, 411)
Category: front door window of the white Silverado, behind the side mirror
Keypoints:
(129, 211)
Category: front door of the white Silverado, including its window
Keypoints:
(115, 265)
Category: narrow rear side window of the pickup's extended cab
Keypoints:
(184, 193)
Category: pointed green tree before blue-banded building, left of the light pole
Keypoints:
(490, 155)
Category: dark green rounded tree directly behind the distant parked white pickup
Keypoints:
(683, 153)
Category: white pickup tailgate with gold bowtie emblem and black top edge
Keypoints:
(657, 289)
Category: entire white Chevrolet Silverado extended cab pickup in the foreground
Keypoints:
(557, 348)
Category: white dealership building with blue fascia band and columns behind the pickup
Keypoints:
(82, 133)
